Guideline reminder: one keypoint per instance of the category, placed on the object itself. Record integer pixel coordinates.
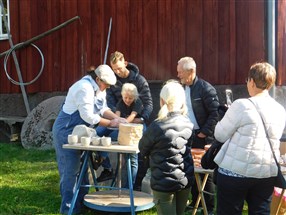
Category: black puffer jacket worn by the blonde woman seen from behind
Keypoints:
(165, 143)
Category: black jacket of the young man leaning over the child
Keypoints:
(114, 92)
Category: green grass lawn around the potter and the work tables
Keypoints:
(29, 182)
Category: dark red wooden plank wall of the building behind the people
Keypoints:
(223, 36)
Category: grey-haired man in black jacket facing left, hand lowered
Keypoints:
(202, 102)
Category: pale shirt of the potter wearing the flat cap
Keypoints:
(86, 97)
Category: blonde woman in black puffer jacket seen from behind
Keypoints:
(164, 143)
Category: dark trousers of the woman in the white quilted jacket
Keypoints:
(233, 191)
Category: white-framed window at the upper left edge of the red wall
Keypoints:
(4, 15)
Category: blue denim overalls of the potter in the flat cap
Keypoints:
(69, 162)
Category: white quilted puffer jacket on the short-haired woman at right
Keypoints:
(246, 150)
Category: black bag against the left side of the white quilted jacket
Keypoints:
(207, 161)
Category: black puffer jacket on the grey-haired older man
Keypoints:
(205, 105)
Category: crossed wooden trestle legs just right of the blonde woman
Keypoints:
(201, 187)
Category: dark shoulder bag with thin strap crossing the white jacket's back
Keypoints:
(280, 180)
